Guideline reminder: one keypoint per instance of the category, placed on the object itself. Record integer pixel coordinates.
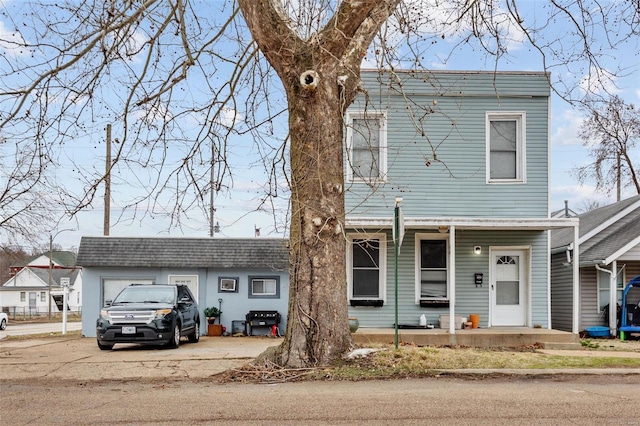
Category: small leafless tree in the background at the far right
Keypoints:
(612, 132)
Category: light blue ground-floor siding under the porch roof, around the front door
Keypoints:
(469, 298)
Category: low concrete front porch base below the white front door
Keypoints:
(480, 337)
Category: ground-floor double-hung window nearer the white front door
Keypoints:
(432, 268)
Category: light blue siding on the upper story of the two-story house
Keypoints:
(454, 181)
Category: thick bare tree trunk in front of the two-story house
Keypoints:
(321, 76)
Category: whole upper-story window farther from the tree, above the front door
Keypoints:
(506, 160)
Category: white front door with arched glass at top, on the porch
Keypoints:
(508, 288)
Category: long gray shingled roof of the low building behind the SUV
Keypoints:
(247, 253)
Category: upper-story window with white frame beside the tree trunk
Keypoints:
(366, 146)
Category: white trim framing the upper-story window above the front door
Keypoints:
(521, 144)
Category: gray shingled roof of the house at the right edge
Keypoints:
(609, 240)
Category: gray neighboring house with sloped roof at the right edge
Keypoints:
(609, 253)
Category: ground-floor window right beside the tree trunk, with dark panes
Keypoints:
(366, 270)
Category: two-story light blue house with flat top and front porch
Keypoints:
(475, 212)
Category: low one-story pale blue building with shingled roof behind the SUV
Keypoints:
(239, 275)
